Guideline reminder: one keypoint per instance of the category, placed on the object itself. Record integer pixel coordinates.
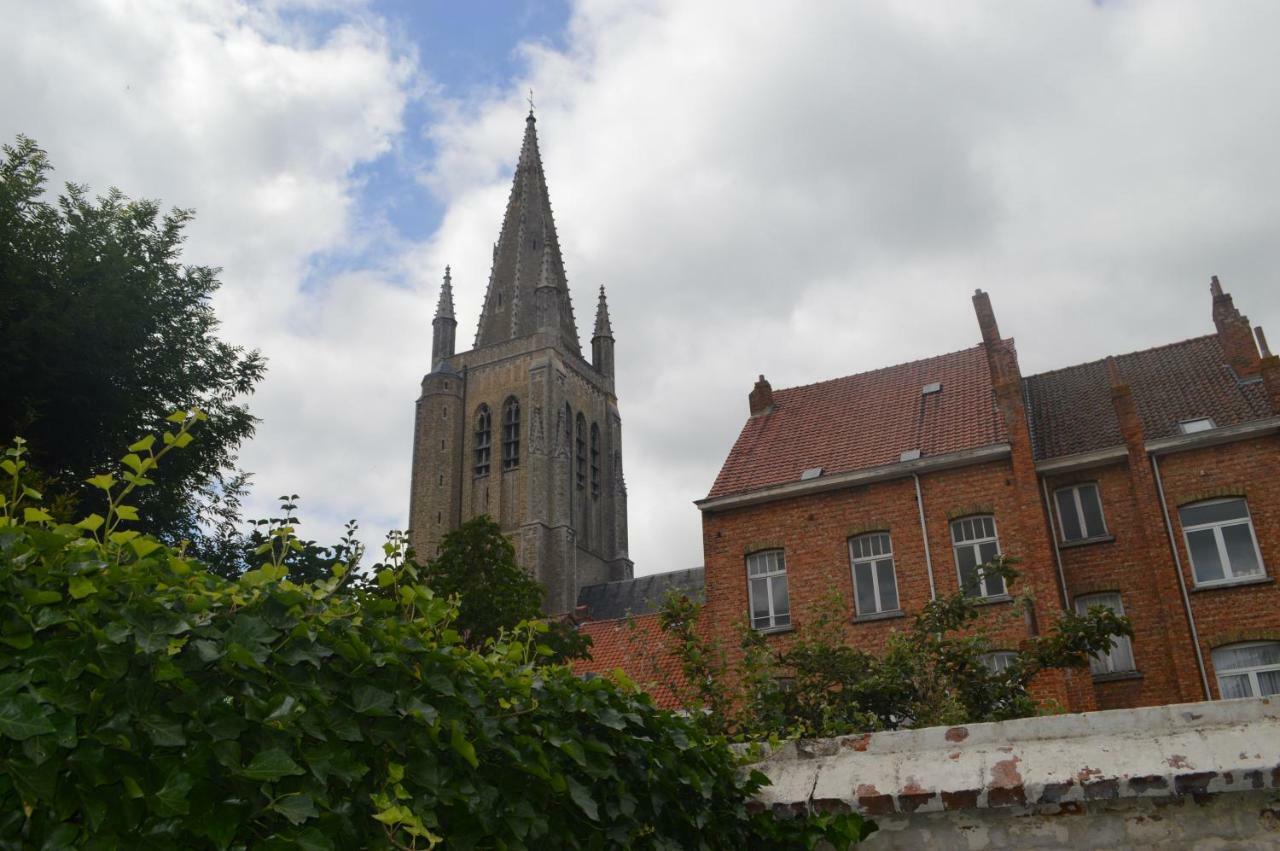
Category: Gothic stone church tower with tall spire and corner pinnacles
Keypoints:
(523, 428)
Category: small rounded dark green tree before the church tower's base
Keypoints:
(478, 565)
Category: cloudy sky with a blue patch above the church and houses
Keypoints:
(803, 190)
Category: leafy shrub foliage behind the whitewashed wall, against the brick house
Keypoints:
(936, 672)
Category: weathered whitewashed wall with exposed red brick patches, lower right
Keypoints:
(1190, 776)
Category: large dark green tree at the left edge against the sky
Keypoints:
(103, 332)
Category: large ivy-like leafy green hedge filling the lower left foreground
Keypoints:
(148, 703)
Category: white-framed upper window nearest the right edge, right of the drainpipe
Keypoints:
(1220, 541)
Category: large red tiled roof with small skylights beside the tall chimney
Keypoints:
(865, 422)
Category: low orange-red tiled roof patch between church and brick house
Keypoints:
(639, 647)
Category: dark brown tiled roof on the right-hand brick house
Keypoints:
(1071, 410)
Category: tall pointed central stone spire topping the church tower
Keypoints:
(528, 285)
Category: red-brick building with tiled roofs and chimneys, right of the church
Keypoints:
(1146, 482)
